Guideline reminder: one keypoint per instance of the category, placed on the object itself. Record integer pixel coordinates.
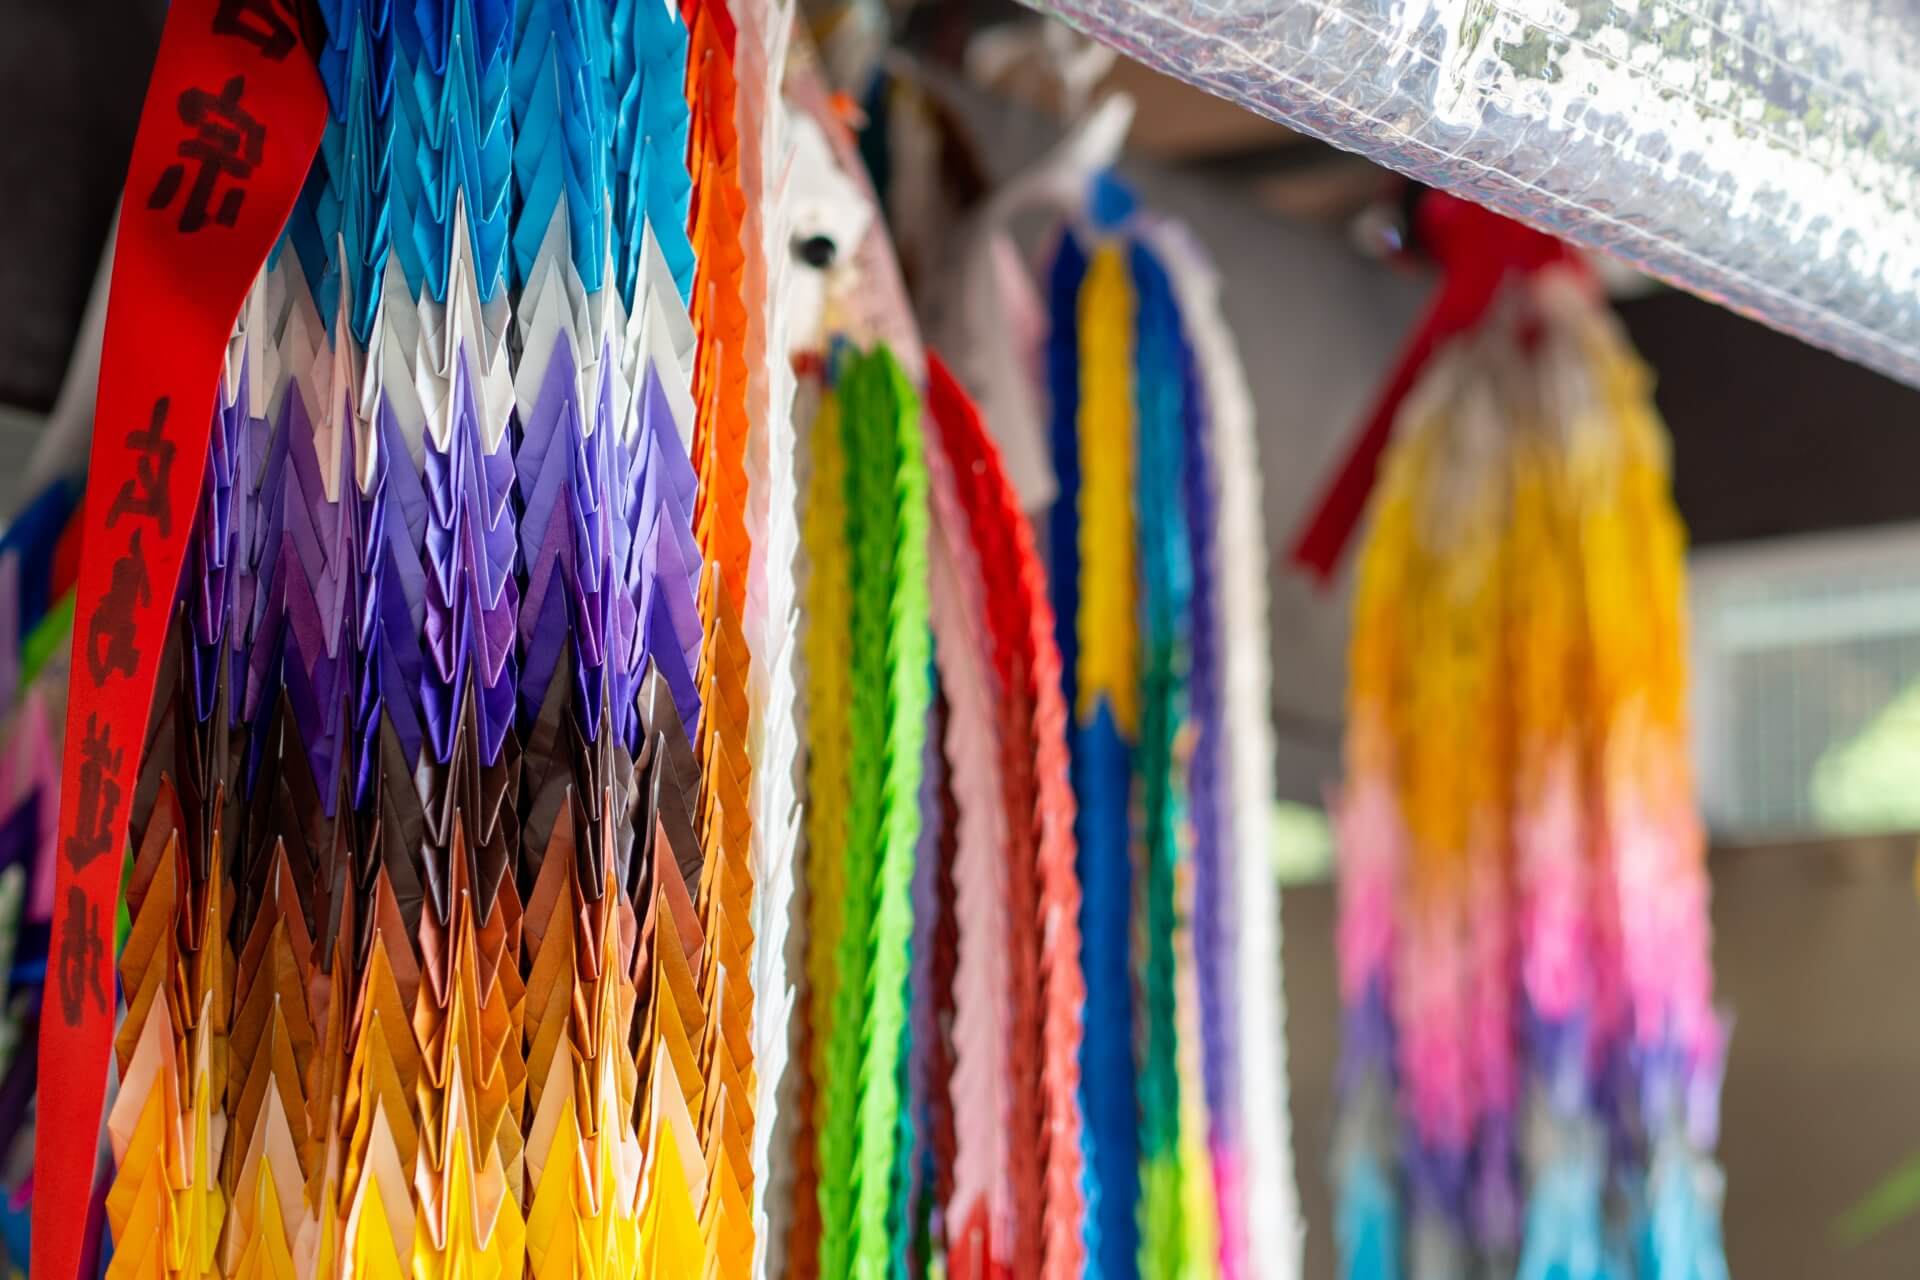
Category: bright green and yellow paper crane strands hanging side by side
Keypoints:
(869, 527)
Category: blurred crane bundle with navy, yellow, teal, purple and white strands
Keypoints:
(1151, 533)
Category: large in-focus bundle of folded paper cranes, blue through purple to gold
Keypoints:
(441, 949)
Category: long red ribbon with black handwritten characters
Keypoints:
(229, 128)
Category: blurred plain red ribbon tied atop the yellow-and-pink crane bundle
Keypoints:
(1477, 250)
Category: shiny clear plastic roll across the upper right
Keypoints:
(1758, 153)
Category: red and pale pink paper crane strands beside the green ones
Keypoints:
(1019, 1195)
